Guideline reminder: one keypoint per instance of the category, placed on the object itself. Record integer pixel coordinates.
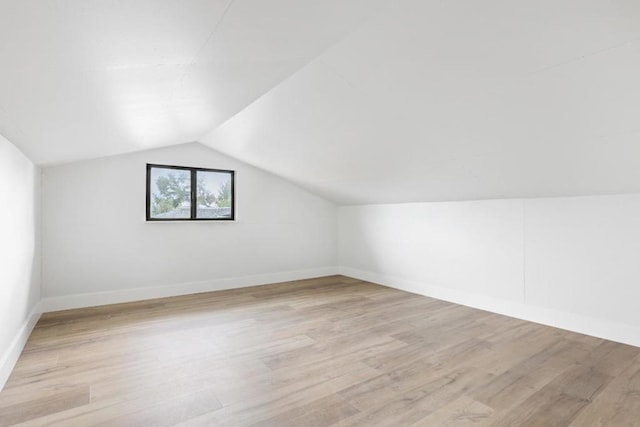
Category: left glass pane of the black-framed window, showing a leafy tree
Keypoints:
(170, 193)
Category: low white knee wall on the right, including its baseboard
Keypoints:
(568, 262)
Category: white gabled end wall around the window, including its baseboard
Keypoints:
(99, 249)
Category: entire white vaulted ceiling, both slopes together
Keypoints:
(359, 101)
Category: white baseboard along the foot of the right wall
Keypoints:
(614, 331)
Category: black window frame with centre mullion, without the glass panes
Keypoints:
(194, 188)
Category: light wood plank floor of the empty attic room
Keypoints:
(325, 352)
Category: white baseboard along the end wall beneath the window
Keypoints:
(137, 294)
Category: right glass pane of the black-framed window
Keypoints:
(214, 195)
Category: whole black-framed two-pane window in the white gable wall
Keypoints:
(179, 193)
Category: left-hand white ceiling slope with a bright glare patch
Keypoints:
(82, 79)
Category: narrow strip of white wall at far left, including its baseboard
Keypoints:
(19, 253)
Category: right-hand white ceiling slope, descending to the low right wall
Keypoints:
(450, 100)
